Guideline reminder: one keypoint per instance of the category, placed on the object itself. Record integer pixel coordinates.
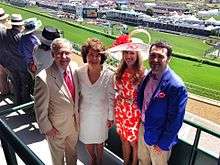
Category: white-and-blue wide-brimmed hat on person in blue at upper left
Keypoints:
(31, 25)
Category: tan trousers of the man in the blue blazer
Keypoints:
(146, 154)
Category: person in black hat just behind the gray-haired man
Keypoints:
(42, 56)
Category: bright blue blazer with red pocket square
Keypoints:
(165, 113)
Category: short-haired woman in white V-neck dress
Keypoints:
(96, 100)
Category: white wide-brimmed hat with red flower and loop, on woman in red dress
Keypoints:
(129, 43)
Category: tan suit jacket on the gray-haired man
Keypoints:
(54, 105)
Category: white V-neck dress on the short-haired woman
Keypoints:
(96, 105)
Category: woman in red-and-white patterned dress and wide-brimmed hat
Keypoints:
(127, 78)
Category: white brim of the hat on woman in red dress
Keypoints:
(116, 52)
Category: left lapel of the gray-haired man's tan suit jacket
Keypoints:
(55, 73)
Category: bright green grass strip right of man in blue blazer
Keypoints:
(200, 79)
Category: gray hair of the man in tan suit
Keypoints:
(60, 42)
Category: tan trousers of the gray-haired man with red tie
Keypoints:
(64, 147)
